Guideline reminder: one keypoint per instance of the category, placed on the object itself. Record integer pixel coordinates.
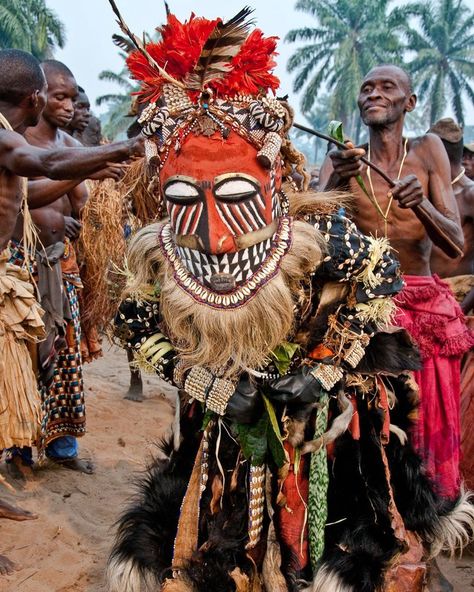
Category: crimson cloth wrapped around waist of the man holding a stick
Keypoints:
(428, 310)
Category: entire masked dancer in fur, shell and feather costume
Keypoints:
(289, 466)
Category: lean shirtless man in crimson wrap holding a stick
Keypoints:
(418, 211)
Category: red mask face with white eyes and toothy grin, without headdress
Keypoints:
(226, 232)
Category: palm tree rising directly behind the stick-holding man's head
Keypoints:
(350, 37)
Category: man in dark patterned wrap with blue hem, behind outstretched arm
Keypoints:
(62, 385)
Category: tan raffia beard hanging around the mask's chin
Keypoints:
(227, 341)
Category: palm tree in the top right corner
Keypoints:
(444, 62)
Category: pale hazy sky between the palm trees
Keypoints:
(91, 23)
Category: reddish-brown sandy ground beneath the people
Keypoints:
(66, 549)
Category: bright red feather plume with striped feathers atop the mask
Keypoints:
(207, 54)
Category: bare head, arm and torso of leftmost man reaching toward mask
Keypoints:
(22, 99)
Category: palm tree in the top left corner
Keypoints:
(30, 25)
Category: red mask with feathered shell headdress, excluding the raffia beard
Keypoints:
(215, 138)
